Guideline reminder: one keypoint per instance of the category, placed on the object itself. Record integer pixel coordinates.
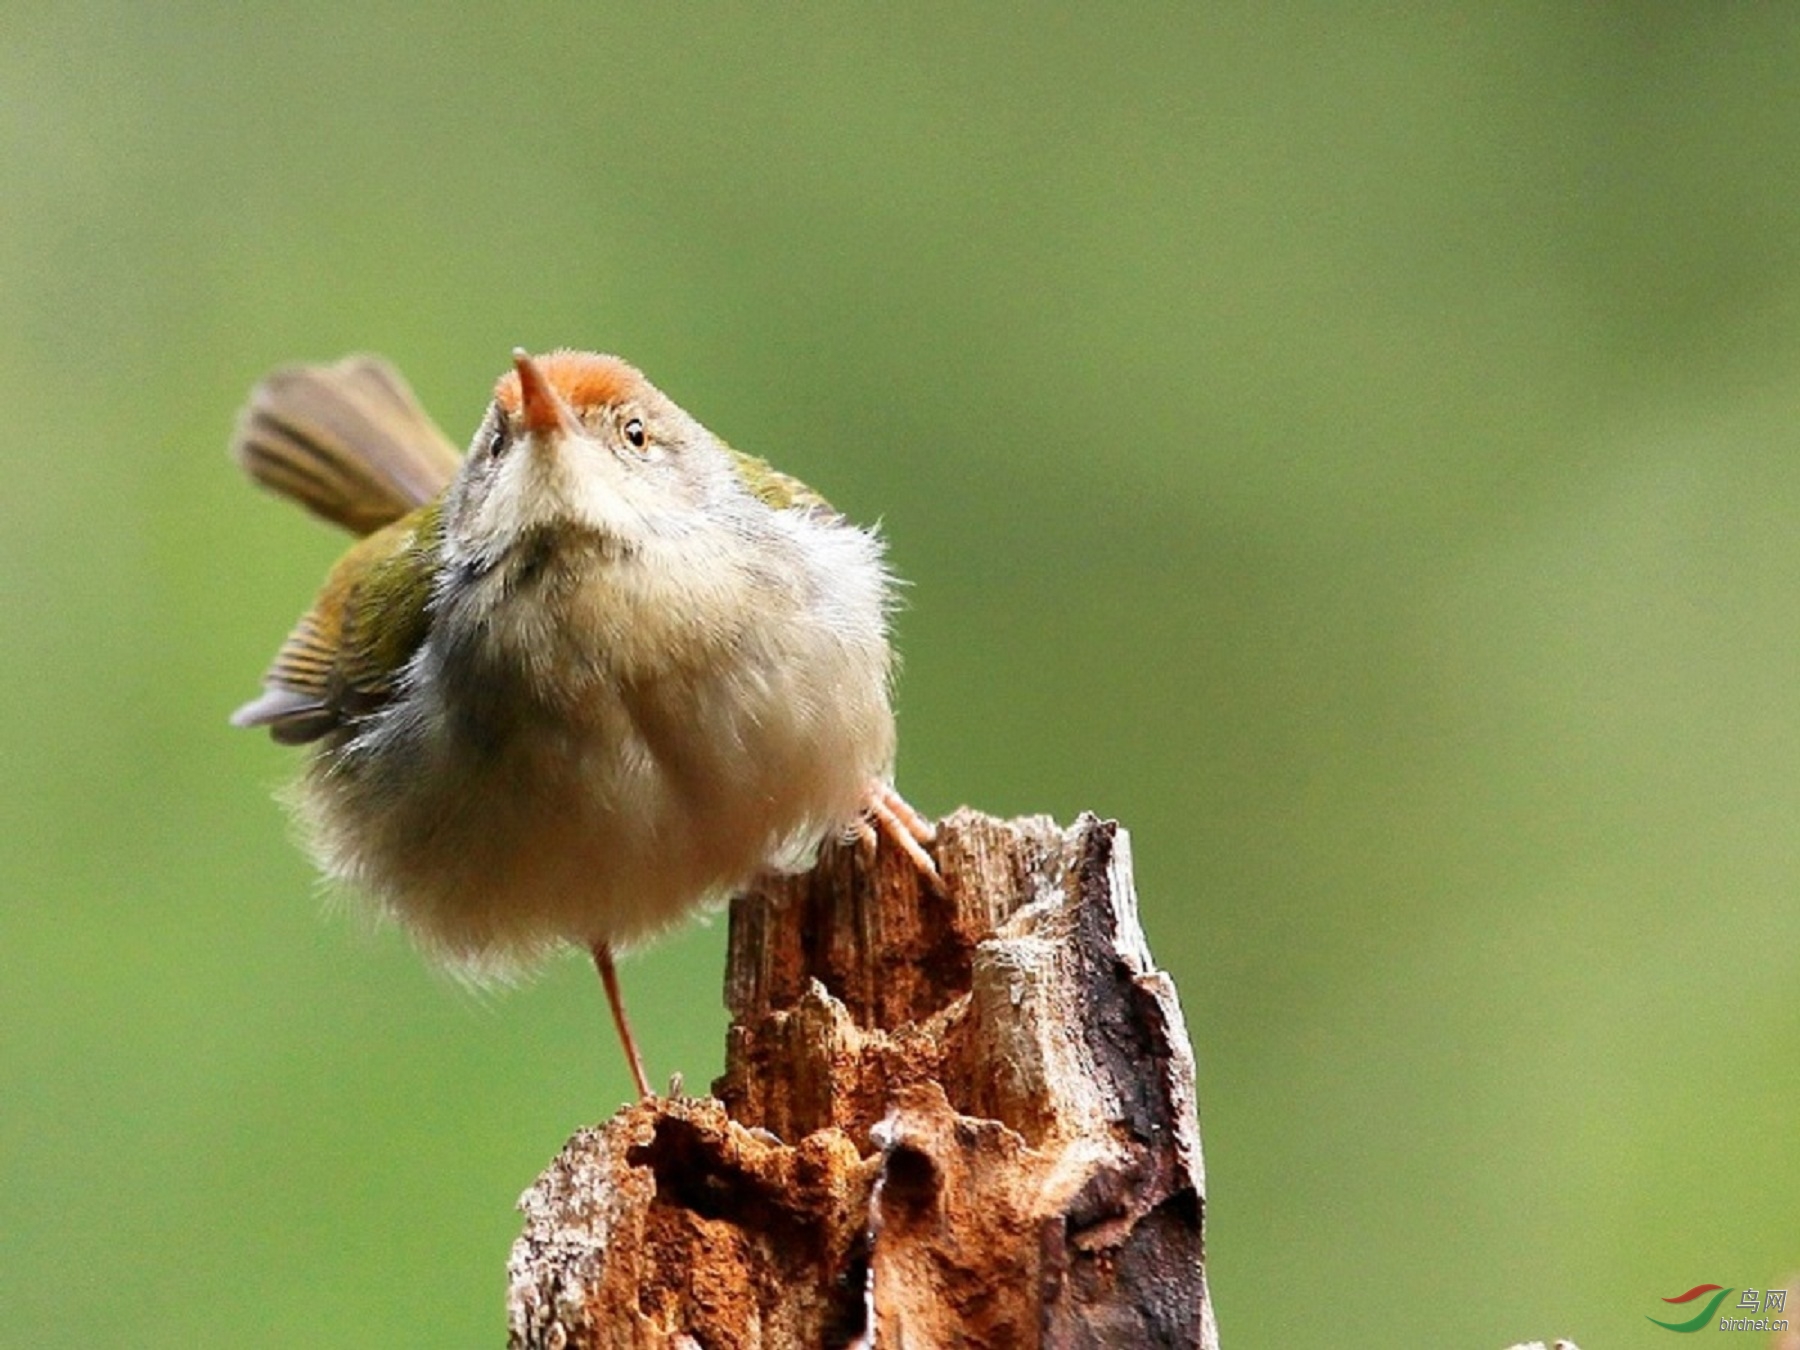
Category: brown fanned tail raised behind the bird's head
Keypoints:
(348, 442)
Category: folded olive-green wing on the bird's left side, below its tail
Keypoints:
(348, 651)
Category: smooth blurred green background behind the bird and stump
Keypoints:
(1358, 453)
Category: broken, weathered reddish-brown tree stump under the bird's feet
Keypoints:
(946, 1120)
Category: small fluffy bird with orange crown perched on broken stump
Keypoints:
(568, 688)
